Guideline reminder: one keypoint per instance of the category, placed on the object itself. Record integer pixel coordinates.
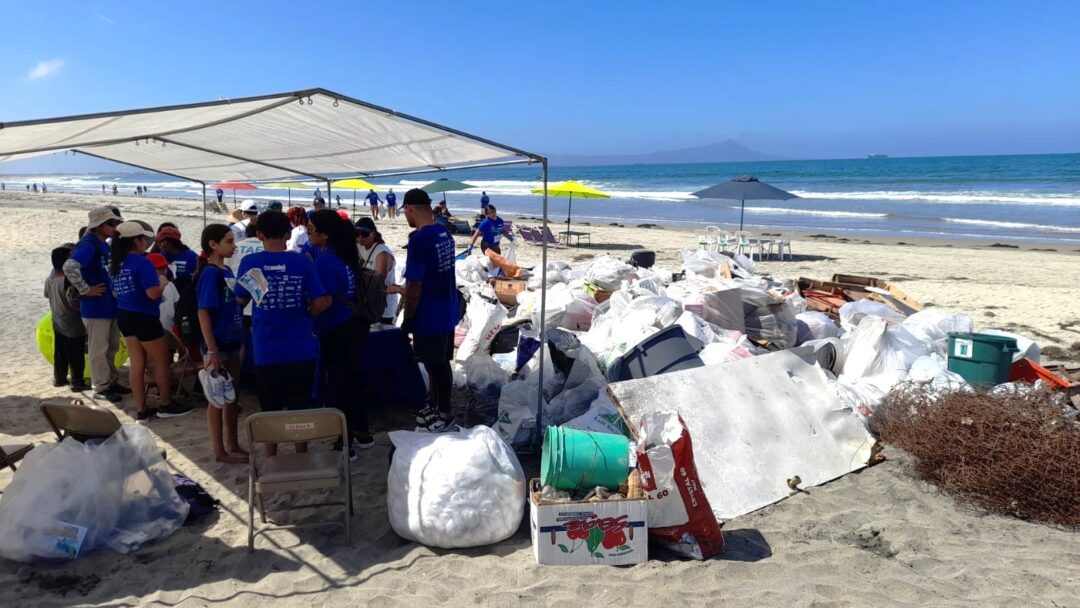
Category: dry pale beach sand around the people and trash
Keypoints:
(877, 538)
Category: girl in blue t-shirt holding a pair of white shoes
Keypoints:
(222, 325)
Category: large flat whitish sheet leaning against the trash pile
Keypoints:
(755, 424)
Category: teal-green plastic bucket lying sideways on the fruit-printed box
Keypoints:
(583, 461)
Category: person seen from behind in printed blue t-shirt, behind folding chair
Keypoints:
(285, 345)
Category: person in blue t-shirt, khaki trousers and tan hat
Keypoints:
(88, 271)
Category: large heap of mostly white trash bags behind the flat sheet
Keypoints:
(599, 312)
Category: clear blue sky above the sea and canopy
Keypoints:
(794, 78)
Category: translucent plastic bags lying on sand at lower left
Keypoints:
(119, 490)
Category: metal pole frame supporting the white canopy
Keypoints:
(299, 97)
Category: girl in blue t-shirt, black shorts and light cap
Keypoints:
(138, 288)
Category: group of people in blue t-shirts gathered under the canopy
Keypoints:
(285, 281)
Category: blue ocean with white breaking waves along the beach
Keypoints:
(1033, 199)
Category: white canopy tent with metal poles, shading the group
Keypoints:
(305, 134)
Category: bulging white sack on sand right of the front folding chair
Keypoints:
(455, 490)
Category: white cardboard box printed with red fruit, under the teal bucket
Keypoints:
(610, 533)
